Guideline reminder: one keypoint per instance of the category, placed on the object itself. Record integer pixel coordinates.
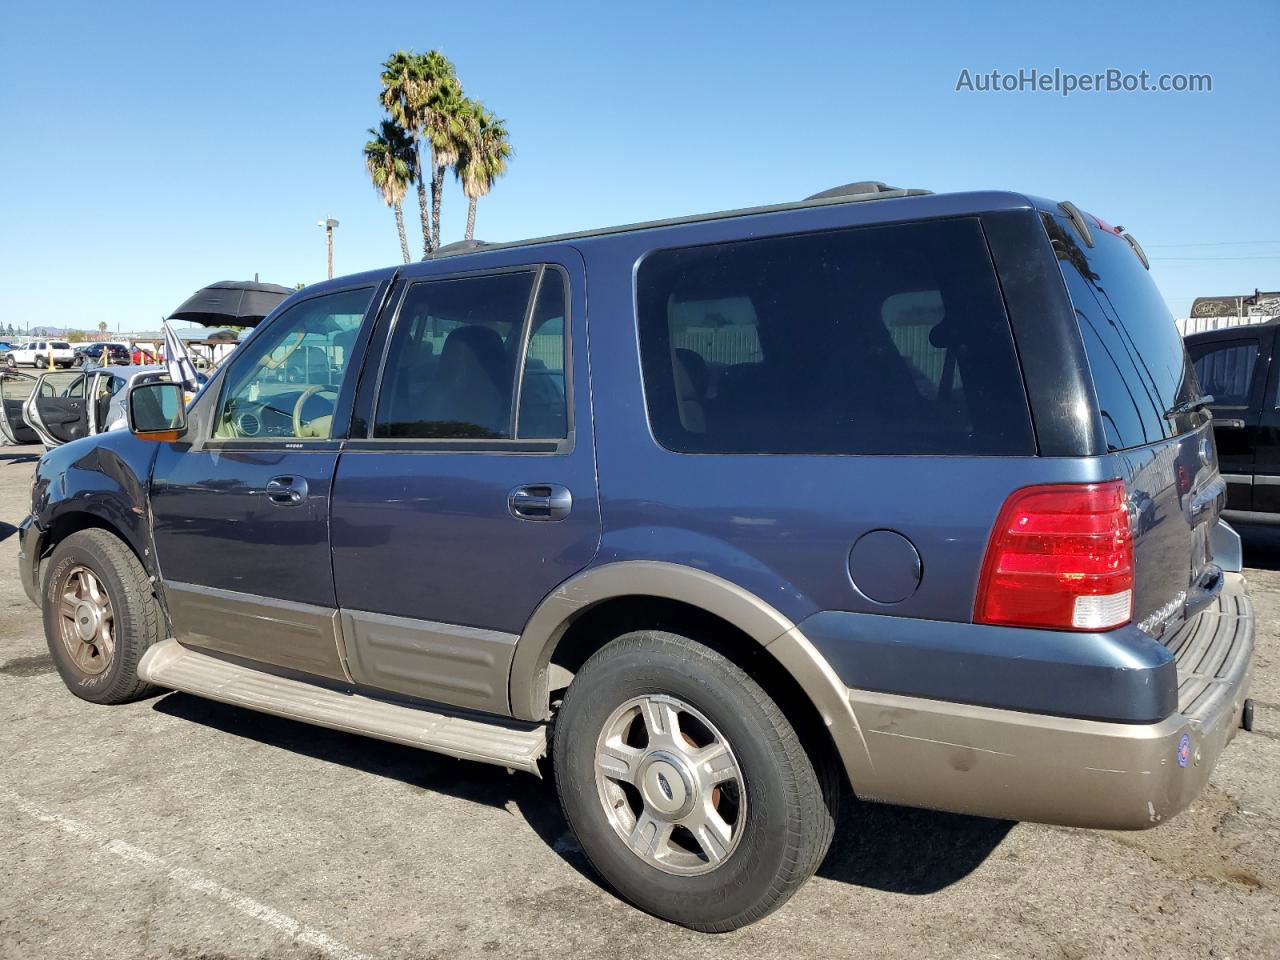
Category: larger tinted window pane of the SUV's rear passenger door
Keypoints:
(451, 363)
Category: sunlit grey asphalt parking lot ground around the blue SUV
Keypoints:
(182, 829)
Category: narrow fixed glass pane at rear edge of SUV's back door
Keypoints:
(543, 406)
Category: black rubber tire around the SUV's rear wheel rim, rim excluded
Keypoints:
(789, 821)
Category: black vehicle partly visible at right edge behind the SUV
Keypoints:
(1236, 367)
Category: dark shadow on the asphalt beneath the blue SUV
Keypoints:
(892, 849)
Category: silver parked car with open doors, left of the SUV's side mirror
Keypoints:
(57, 409)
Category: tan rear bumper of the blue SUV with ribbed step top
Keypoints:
(1060, 770)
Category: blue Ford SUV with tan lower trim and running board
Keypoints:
(714, 519)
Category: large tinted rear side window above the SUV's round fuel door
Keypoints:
(879, 340)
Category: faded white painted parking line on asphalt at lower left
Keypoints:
(136, 856)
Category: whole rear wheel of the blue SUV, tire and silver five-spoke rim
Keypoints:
(687, 787)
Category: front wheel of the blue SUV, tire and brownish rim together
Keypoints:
(100, 618)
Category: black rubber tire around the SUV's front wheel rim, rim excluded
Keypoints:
(138, 620)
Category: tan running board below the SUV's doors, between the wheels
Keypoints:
(504, 743)
